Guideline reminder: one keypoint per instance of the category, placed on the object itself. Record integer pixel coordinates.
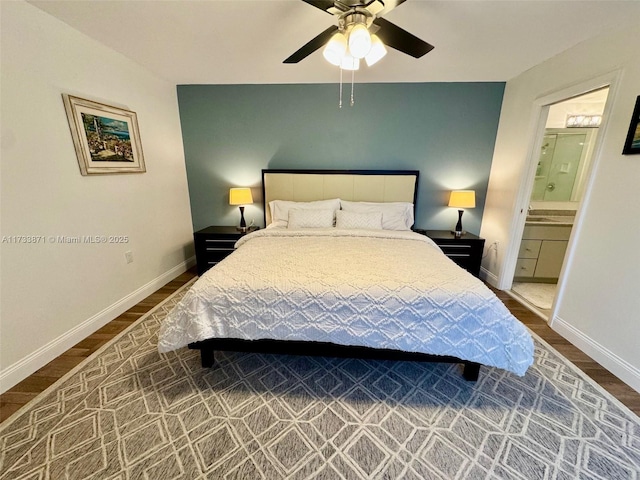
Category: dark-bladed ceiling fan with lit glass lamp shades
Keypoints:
(361, 19)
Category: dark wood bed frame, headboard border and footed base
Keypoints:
(208, 347)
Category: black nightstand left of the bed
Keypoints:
(215, 243)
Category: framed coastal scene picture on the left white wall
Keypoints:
(106, 138)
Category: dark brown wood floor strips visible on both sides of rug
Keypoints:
(29, 388)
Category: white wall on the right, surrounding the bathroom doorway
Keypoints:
(599, 307)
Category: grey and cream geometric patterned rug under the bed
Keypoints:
(128, 412)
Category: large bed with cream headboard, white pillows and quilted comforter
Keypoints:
(345, 279)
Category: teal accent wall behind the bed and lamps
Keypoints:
(445, 130)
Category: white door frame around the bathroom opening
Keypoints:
(536, 136)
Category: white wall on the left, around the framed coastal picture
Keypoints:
(55, 294)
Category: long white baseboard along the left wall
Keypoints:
(20, 370)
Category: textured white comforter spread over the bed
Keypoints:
(383, 289)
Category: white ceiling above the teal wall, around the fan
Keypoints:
(245, 41)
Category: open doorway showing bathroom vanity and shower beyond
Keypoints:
(558, 185)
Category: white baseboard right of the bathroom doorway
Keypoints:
(609, 360)
